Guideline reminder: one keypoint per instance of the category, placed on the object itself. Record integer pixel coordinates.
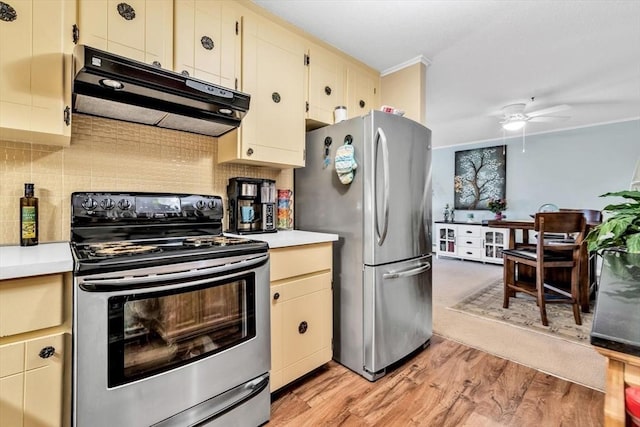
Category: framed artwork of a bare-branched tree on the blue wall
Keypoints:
(480, 175)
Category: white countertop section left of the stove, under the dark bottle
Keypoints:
(25, 261)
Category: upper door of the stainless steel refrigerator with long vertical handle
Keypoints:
(397, 189)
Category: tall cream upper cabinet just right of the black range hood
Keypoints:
(272, 132)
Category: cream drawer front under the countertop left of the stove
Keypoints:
(31, 303)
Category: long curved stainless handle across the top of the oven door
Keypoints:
(95, 283)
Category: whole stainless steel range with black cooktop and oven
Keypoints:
(171, 318)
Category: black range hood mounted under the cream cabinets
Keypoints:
(109, 85)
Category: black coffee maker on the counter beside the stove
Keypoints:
(252, 205)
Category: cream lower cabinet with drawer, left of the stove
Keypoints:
(35, 325)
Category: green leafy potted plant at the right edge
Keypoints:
(621, 230)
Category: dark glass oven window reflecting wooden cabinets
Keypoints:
(151, 333)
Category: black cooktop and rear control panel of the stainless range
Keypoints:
(114, 231)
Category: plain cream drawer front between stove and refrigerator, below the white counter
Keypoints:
(299, 260)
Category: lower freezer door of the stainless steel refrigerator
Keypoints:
(397, 312)
